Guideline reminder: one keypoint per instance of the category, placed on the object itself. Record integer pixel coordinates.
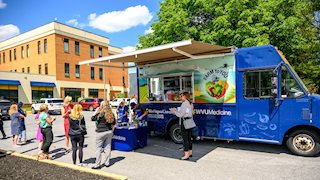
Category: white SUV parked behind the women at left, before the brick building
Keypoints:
(54, 105)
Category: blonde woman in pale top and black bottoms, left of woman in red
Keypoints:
(46, 130)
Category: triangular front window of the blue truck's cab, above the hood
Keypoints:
(289, 86)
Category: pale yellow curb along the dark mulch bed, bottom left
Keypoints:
(71, 166)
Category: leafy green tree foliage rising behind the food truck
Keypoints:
(290, 25)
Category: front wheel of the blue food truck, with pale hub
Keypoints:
(304, 143)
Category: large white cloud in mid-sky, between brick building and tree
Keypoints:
(117, 21)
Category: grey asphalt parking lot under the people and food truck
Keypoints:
(159, 160)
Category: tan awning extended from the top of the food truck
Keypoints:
(168, 52)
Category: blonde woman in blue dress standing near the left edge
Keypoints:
(14, 117)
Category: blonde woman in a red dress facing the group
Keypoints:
(65, 112)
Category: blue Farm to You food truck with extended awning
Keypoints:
(247, 94)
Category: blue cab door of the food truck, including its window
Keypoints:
(258, 118)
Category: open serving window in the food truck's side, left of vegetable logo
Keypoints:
(167, 88)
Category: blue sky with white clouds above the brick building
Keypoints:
(122, 21)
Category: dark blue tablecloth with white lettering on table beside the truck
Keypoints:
(125, 139)
